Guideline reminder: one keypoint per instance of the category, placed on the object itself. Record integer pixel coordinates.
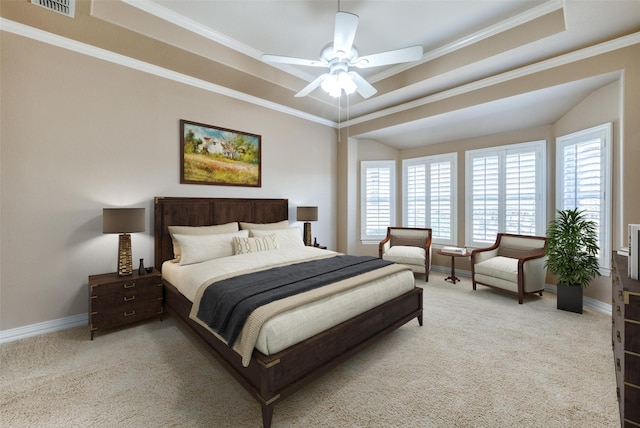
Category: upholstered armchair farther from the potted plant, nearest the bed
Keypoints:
(408, 246)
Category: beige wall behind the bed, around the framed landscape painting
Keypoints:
(79, 134)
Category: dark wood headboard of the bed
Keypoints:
(177, 211)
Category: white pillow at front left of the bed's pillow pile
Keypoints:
(200, 248)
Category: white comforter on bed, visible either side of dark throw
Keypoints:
(293, 326)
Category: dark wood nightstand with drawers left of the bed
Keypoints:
(119, 300)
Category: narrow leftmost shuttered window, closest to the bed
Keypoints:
(377, 199)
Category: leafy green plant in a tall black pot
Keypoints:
(572, 255)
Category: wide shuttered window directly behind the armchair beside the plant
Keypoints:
(504, 192)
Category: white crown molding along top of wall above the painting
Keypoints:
(103, 54)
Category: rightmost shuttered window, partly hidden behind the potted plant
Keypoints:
(583, 172)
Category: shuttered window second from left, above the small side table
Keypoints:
(429, 195)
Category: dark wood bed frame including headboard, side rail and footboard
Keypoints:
(271, 378)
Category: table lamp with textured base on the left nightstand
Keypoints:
(123, 221)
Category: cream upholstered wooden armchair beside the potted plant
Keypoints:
(515, 263)
